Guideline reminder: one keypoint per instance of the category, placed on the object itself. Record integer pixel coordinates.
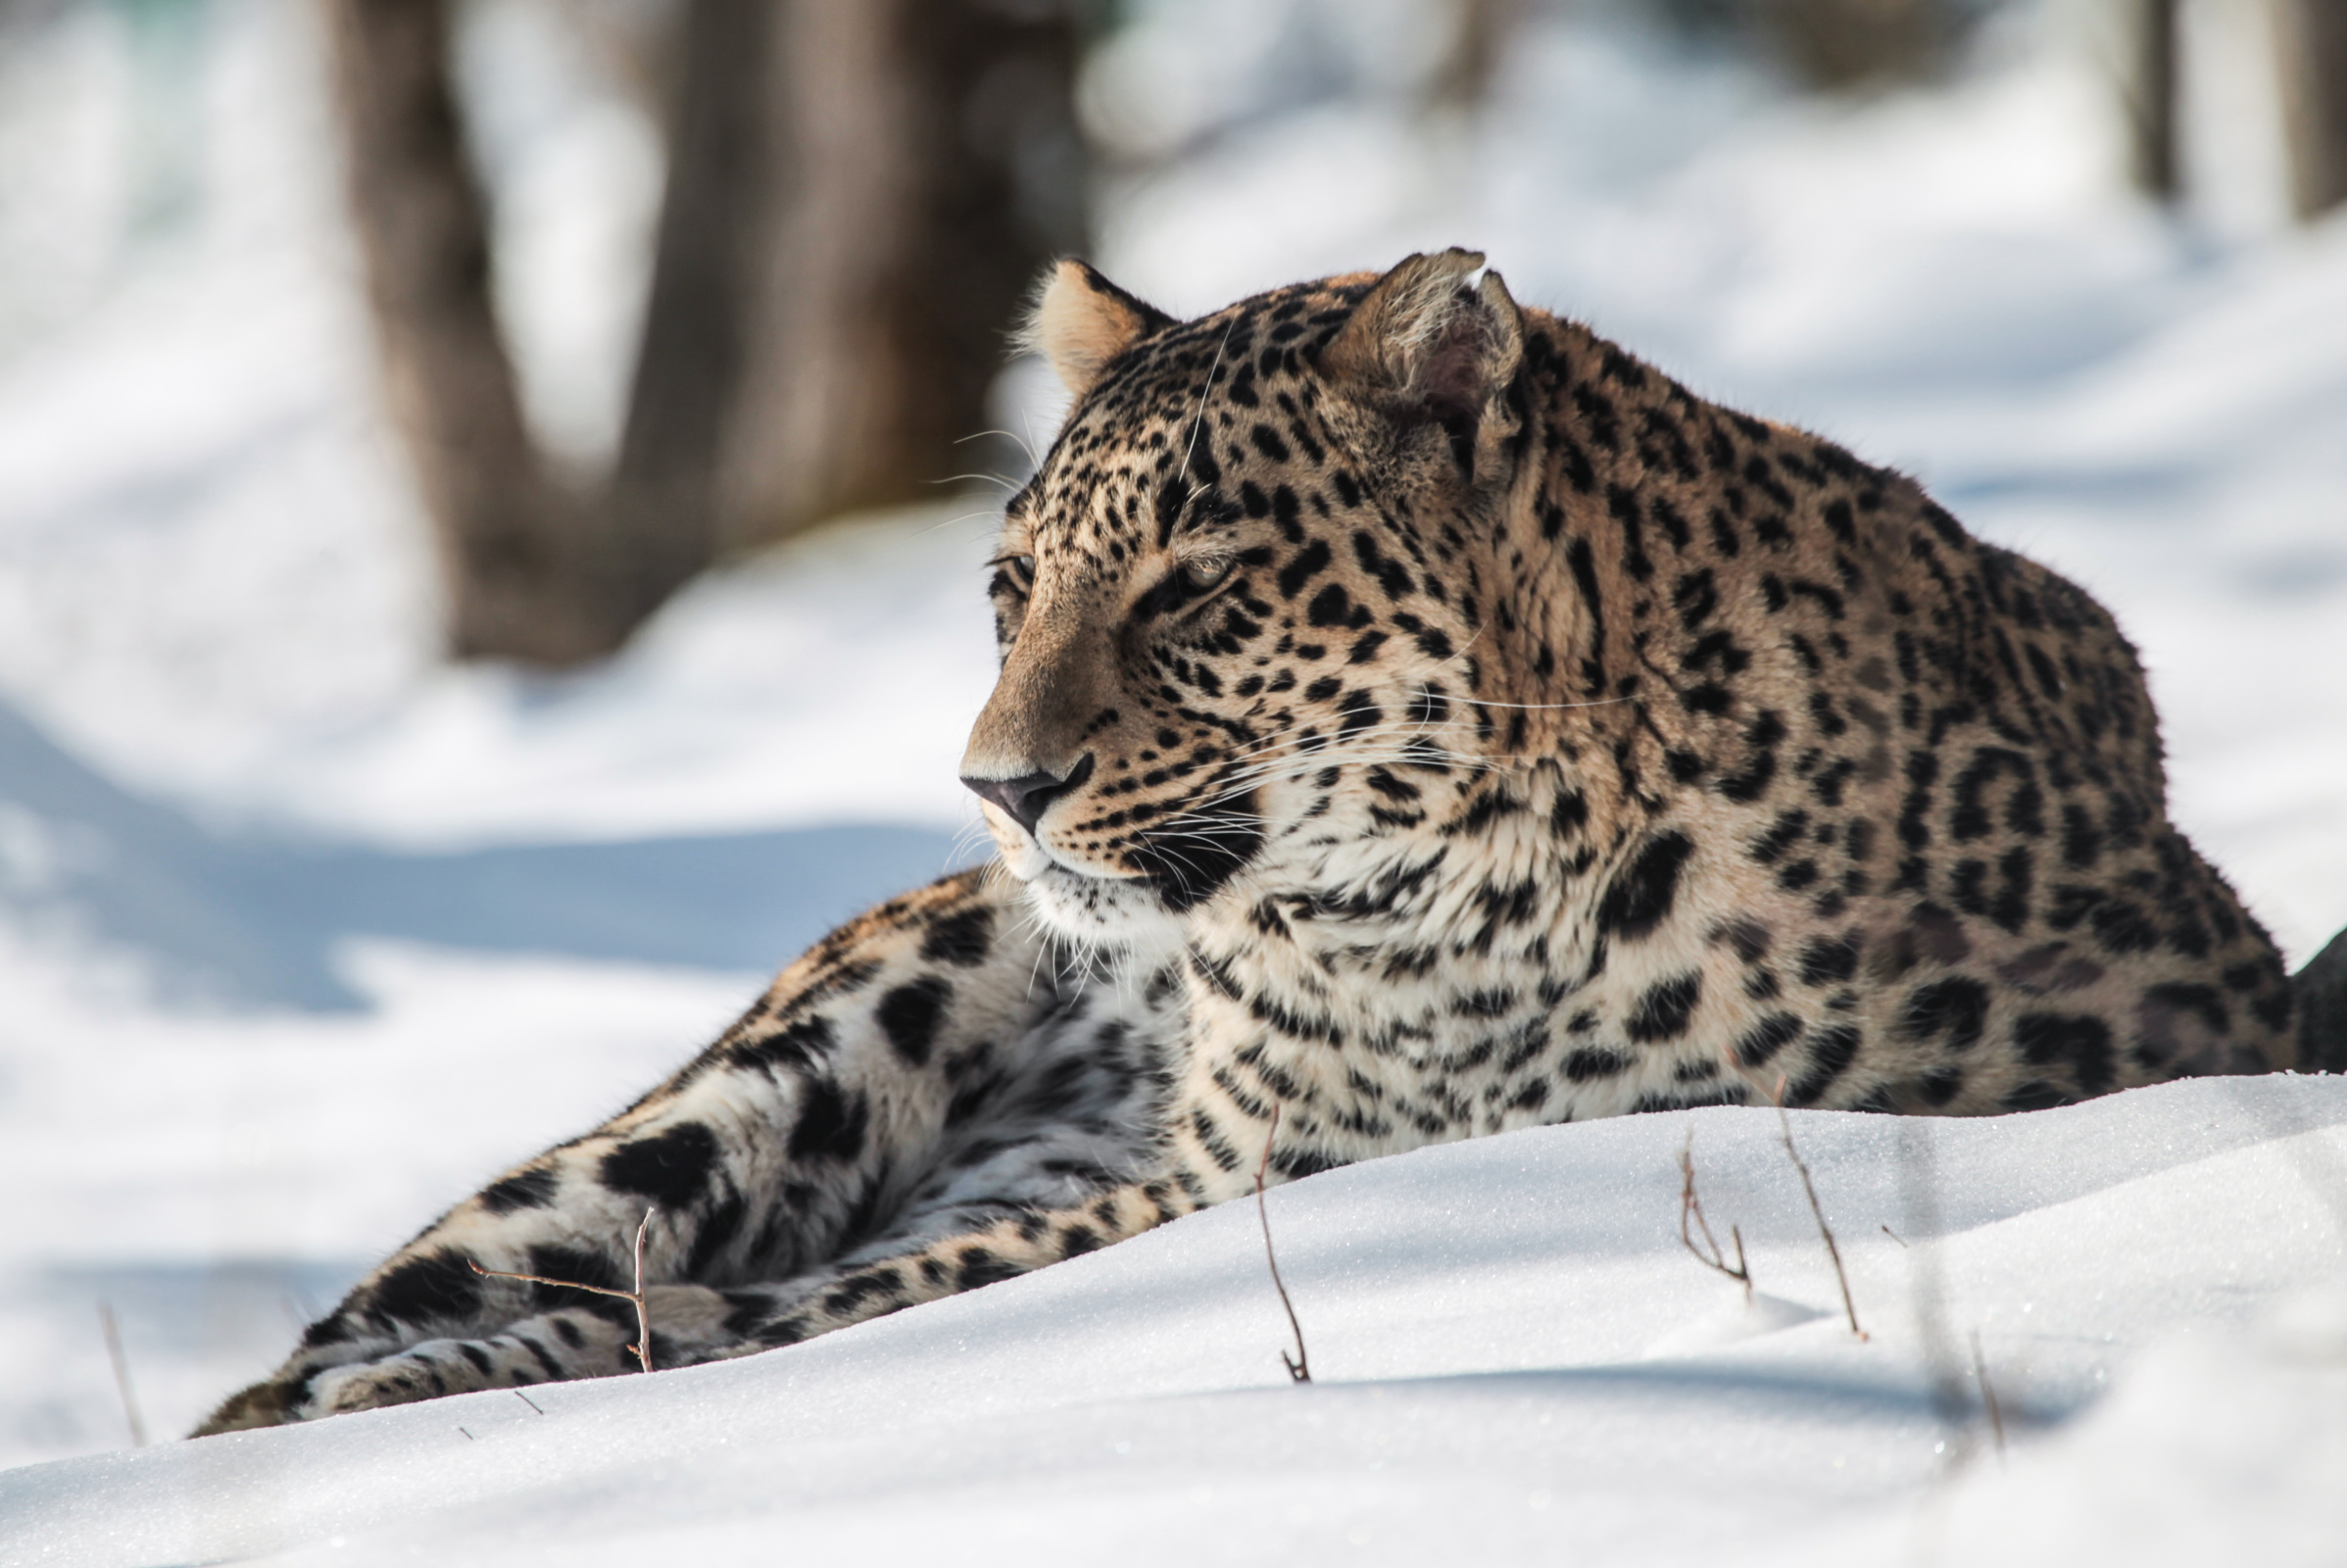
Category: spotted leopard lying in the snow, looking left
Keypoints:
(1416, 719)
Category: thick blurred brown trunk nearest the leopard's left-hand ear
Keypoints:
(926, 165)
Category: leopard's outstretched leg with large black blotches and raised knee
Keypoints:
(806, 1130)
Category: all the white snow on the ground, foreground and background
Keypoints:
(302, 935)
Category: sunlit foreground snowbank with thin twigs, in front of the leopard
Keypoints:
(1494, 1379)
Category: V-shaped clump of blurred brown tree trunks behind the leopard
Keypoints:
(860, 194)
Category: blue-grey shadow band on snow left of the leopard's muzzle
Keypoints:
(255, 921)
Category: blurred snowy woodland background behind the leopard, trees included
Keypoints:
(492, 492)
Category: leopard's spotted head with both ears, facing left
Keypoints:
(1238, 602)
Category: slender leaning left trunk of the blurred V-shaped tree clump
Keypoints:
(520, 572)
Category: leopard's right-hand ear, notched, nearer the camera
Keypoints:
(1428, 349)
